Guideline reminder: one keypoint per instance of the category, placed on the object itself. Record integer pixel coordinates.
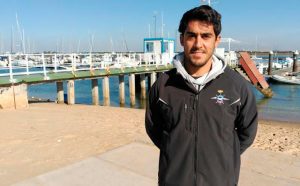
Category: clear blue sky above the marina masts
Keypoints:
(121, 25)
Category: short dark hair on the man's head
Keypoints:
(202, 13)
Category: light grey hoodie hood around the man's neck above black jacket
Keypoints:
(218, 67)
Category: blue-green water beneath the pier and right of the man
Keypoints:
(284, 106)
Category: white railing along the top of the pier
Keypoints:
(16, 66)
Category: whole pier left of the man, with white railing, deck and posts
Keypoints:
(137, 67)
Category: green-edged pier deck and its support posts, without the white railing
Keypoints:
(141, 72)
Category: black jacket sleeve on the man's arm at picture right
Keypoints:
(247, 121)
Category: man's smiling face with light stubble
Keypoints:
(199, 42)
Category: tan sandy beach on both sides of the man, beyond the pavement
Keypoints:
(47, 136)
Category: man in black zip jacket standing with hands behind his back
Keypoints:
(201, 115)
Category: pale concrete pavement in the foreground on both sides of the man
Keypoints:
(136, 164)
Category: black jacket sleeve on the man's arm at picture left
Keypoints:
(152, 119)
